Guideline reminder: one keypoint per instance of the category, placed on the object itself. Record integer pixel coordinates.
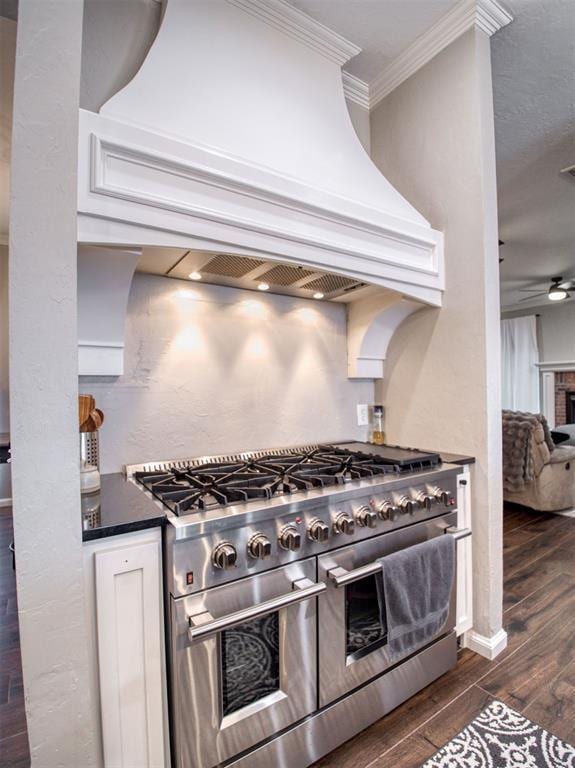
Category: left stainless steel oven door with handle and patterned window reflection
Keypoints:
(244, 663)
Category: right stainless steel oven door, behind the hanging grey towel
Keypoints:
(353, 641)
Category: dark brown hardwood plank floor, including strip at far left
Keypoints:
(534, 675)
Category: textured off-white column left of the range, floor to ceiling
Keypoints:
(43, 383)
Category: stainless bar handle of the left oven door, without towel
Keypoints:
(204, 626)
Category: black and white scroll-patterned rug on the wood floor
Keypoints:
(502, 738)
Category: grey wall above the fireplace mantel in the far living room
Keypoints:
(555, 331)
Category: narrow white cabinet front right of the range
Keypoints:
(464, 620)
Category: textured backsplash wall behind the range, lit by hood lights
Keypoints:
(212, 370)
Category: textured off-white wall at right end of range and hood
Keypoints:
(433, 138)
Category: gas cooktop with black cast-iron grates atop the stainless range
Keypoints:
(195, 485)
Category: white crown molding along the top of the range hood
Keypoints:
(301, 27)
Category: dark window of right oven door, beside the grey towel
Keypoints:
(366, 628)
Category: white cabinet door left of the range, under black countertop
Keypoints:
(130, 654)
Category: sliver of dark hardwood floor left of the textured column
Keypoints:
(13, 736)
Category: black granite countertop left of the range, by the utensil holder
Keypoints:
(119, 507)
